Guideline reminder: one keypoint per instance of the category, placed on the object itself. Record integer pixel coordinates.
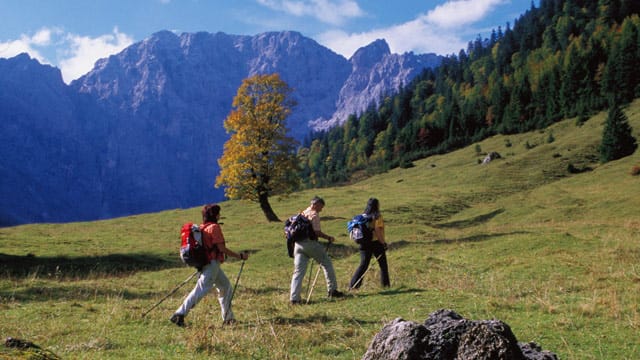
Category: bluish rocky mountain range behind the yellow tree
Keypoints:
(143, 130)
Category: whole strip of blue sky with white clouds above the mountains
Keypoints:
(73, 34)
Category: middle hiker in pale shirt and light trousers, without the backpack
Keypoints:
(311, 248)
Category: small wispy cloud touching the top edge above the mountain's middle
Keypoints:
(326, 11)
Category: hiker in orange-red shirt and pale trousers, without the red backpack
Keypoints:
(211, 274)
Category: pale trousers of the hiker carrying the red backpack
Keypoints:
(211, 276)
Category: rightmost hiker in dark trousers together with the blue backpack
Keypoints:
(371, 242)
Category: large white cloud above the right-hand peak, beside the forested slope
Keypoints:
(439, 30)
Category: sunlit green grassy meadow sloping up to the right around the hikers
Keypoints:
(555, 255)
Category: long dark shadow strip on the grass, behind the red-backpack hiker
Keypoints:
(63, 267)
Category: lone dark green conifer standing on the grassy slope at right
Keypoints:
(617, 140)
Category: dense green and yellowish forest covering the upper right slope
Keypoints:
(563, 59)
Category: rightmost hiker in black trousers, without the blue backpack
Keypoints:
(376, 247)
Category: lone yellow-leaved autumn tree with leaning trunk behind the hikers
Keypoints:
(259, 158)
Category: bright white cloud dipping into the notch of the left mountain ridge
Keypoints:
(84, 51)
